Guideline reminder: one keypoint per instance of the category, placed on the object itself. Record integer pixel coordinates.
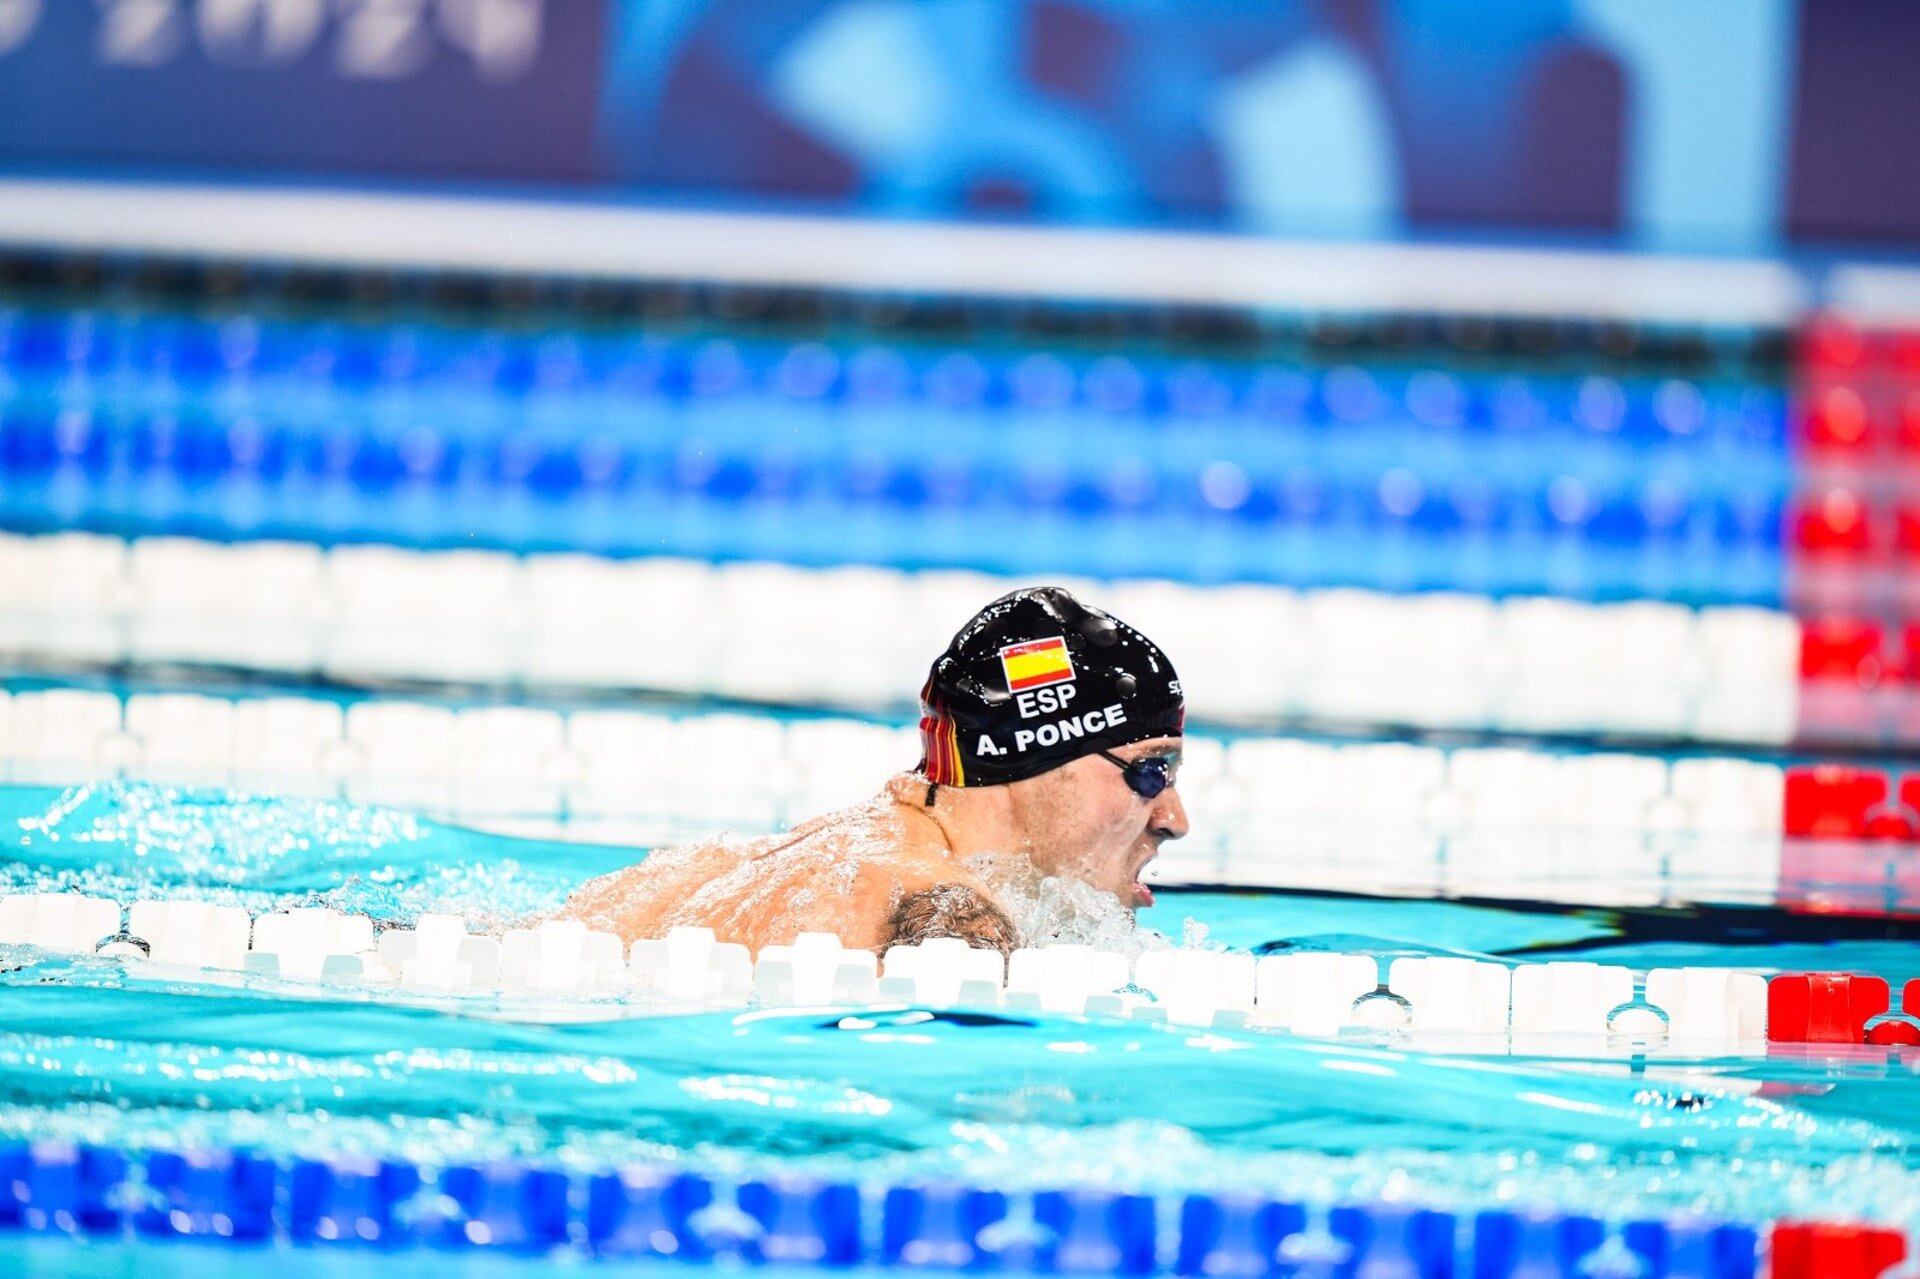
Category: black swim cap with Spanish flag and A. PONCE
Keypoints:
(1036, 681)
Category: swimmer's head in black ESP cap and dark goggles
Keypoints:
(1080, 717)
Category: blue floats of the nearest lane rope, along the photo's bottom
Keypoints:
(671, 1215)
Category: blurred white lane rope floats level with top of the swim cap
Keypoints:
(373, 612)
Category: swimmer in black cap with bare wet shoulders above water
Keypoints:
(1049, 729)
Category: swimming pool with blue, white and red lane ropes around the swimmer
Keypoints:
(1572, 675)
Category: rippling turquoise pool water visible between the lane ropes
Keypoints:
(1009, 1099)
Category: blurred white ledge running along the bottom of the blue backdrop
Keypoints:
(890, 256)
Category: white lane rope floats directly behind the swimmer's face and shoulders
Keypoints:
(1366, 815)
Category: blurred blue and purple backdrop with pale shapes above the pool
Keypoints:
(1704, 126)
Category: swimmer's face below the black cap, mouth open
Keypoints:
(1084, 821)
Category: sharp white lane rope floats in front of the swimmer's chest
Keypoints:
(1431, 1003)
